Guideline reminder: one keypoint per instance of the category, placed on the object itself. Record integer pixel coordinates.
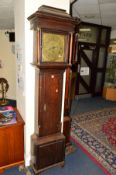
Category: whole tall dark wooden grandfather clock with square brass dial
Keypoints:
(53, 37)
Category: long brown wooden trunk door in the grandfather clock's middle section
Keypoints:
(50, 102)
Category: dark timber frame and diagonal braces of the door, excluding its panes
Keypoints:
(91, 64)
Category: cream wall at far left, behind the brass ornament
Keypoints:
(8, 61)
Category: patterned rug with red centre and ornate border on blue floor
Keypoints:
(96, 133)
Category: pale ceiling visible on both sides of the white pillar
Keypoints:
(95, 11)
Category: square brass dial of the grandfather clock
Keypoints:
(53, 47)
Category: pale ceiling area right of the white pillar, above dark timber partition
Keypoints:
(101, 12)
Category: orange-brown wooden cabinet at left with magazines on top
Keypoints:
(12, 144)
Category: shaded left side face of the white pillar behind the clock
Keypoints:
(20, 55)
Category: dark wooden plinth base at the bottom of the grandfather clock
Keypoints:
(47, 152)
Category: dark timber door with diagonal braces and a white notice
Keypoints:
(85, 69)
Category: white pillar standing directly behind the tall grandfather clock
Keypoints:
(24, 42)
